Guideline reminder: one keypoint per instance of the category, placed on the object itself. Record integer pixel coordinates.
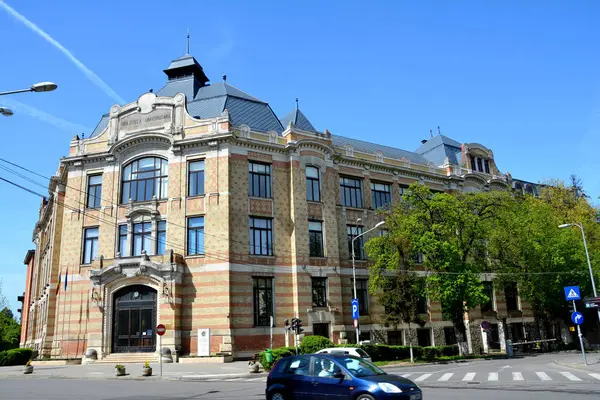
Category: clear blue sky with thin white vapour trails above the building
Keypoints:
(518, 77)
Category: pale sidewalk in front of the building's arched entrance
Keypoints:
(186, 372)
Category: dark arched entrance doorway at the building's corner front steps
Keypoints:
(134, 320)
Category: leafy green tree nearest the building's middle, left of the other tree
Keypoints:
(451, 230)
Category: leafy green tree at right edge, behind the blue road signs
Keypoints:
(530, 249)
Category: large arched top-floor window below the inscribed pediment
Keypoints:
(144, 179)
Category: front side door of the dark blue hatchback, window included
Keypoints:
(326, 386)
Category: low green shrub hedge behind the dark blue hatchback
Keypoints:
(378, 352)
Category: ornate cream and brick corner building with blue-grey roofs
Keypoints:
(198, 208)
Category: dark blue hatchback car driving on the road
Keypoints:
(324, 376)
